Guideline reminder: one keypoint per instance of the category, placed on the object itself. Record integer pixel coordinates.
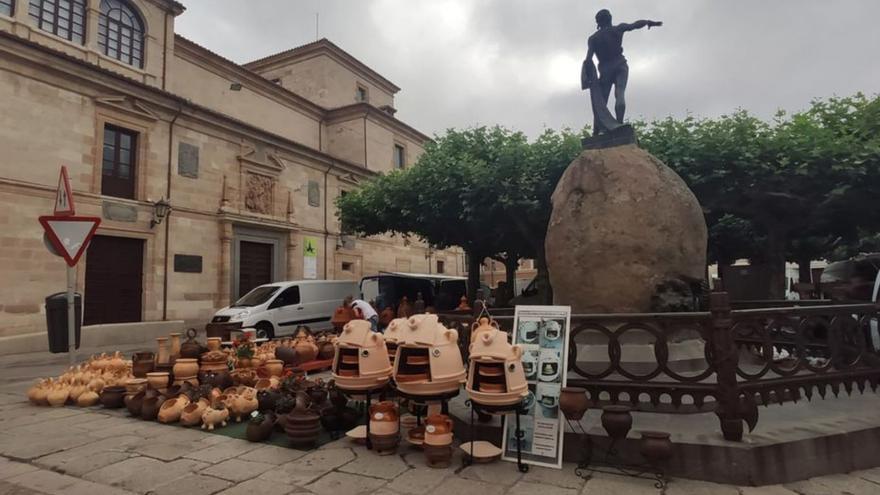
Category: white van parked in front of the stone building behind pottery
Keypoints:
(277, 309)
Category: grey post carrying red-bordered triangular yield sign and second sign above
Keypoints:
(69, 235)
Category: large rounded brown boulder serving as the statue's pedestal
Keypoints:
(624, 228)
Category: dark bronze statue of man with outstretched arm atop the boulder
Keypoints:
(607, 45)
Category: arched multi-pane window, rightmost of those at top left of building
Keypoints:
(121, 32)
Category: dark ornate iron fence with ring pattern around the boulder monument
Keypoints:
(733, 359)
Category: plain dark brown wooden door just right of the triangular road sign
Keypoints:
(114, 280)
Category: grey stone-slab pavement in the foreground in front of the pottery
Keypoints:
(75, 451)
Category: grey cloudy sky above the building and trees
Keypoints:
(517, 62)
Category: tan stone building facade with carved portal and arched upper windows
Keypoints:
(251, 158)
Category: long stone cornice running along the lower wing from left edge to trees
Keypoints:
(67, 66)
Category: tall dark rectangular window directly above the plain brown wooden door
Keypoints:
(118, 162)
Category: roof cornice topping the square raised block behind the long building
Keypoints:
(331, 50)
